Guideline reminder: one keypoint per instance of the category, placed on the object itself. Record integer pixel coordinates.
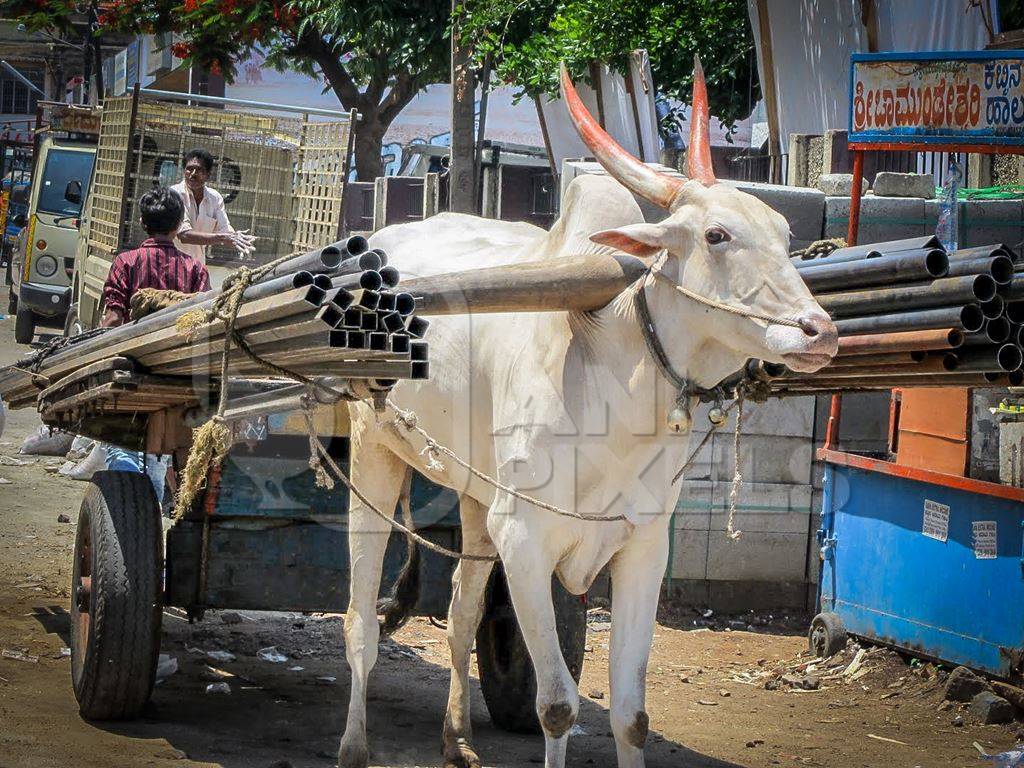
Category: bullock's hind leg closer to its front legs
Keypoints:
(470, 584)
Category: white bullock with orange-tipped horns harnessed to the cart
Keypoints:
(572, 409)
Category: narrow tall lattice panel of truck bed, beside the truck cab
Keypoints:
(109, 177)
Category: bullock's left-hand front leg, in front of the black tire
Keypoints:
(529, 572)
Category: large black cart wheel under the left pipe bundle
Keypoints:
(116, 596)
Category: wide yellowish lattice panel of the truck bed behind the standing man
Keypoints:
(255, 157)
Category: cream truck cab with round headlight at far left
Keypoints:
(45, 258)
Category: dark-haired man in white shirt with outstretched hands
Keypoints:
(206, 221)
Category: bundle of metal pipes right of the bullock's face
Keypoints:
(910, 314)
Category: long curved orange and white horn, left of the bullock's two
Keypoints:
(632, 174)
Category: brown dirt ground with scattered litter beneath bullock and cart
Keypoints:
(707, 698)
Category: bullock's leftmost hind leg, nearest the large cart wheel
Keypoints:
(378, 474)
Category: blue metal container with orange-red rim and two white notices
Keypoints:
(923, 562)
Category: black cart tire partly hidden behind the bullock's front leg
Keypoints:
(507, 677)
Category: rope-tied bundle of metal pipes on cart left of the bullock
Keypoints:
(340, 315)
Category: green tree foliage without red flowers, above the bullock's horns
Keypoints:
(528, 38)
